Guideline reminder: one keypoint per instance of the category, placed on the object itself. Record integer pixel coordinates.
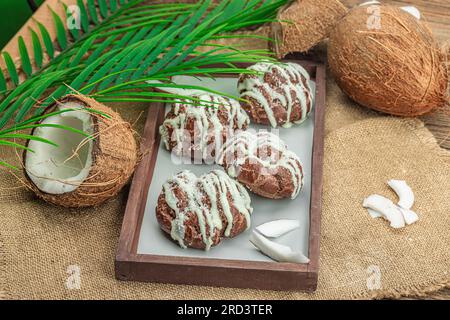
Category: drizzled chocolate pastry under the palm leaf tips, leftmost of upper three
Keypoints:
(193, 130)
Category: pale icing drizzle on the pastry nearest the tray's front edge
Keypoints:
(215, 185)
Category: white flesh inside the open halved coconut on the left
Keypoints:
(61, 169)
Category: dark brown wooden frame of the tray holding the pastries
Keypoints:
(131, 266)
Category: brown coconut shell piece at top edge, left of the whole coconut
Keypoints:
(302, 24)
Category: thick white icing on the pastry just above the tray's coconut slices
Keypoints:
(245, 146)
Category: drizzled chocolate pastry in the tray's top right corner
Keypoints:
(280, 95)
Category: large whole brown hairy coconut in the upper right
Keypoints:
(397, 69)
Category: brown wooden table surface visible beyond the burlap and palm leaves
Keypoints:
(435, 12)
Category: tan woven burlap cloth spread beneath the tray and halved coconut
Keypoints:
(360, 257)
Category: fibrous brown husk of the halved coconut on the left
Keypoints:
(114, 156)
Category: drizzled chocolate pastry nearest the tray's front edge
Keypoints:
(199, 212)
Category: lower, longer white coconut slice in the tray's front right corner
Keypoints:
(276, 251)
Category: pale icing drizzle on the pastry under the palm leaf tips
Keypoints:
(206, 117)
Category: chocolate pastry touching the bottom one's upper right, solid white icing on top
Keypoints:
(263, 164)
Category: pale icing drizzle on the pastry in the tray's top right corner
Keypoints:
(292, 75)
